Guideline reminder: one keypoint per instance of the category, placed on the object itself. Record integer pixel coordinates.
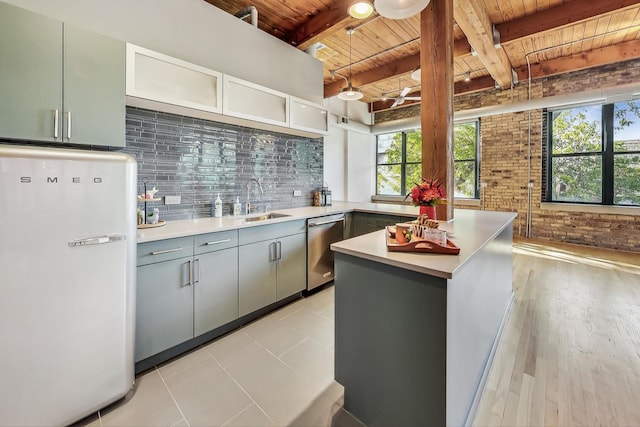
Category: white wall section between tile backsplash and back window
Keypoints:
(349, 152)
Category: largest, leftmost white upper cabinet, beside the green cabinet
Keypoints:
(158, 77)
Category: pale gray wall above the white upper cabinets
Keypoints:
(197, 32)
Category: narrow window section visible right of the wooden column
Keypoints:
(465, 160)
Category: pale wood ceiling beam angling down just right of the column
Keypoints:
(474, 21)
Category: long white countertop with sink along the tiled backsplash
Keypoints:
(191, 227)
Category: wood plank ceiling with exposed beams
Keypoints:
(555, 36)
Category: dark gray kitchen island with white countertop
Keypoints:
(415, 332)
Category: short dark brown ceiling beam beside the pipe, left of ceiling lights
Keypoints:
(309, 32)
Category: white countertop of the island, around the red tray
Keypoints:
(470, 230)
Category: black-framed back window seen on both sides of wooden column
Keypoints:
(399, 161)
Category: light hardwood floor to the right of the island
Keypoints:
(570, 352)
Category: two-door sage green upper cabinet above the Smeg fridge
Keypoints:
(59, 83)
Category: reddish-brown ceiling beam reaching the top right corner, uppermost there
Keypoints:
(567, 13)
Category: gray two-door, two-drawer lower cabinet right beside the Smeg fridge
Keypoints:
(181, 297)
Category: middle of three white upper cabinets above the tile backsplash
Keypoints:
(247, 100)
